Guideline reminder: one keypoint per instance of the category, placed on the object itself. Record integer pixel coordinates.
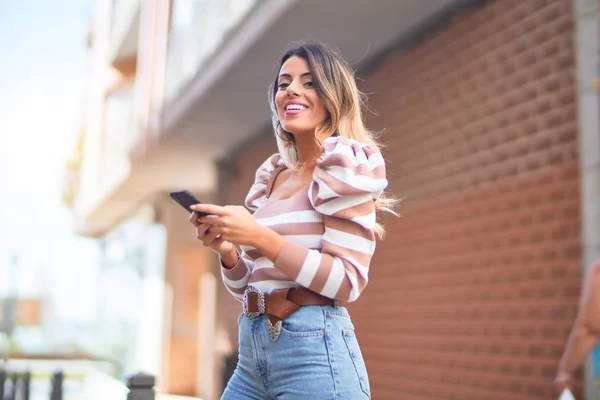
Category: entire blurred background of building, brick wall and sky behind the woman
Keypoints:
(489, 113)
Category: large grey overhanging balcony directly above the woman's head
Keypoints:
(216, 83)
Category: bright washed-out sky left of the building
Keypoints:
(43, 72)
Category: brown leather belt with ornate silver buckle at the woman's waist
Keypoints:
(280, 304)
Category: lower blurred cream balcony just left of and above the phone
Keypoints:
(123, 180)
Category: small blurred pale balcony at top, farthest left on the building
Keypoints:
(124, 33)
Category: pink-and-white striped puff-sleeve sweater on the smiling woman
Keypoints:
(328, 225)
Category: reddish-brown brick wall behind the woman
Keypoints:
(473, 291)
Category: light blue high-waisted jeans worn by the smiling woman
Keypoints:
(316, 357)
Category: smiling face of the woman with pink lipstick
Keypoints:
(299, 107)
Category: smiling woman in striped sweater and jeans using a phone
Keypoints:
(309, 243)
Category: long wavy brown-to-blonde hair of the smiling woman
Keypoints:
(336, 86)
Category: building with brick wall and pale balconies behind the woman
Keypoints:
(490, 119)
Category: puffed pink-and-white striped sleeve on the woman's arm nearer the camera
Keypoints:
(348, 178)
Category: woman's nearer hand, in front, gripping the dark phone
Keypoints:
(233, 223)
